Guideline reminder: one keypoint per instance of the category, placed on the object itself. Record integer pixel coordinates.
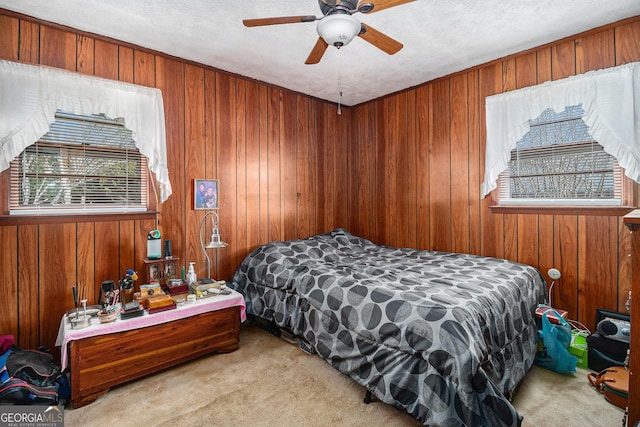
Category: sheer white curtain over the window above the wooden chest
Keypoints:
(30, 96)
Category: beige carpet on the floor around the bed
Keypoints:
(269, 382)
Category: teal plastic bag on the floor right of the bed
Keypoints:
(553, 345)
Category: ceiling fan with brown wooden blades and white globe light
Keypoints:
(337, 26)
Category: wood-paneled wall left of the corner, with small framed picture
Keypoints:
(276, 155)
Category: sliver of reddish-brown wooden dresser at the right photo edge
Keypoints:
(632, 221)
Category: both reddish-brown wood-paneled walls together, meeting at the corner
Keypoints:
(403, 170)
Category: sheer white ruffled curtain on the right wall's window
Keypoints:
(610, 99)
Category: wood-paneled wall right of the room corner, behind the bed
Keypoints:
(418, 162)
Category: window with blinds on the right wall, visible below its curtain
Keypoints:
(557, 162)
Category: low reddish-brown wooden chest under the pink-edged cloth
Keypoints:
(101, 362)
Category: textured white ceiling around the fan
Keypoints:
(439, 36)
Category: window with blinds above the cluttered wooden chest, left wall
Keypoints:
(83, 164)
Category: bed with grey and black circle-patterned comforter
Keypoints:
(445, 336)
